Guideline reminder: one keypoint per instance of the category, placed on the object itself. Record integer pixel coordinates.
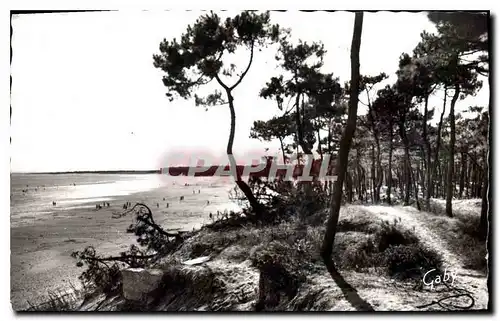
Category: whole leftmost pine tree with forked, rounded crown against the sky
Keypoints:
(197, 60)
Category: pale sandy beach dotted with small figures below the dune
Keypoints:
(41, 242)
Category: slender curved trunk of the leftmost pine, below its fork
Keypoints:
(254, 203)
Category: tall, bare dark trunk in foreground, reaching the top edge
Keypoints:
(345, 145)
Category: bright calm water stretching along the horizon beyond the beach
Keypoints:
(32, 194)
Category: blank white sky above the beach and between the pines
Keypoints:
(86, 96)
